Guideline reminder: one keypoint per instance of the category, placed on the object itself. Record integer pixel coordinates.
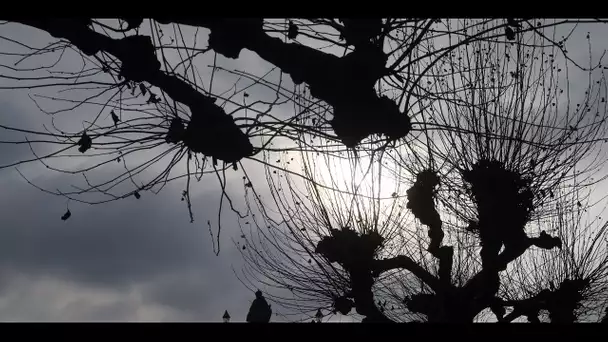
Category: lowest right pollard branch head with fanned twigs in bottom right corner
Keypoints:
(566, 285)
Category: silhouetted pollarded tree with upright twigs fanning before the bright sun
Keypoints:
(503, 151)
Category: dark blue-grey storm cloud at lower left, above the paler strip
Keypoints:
(148, 244)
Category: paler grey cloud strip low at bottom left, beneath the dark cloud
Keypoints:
(46, 298)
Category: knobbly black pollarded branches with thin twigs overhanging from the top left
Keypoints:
(159, 113)
